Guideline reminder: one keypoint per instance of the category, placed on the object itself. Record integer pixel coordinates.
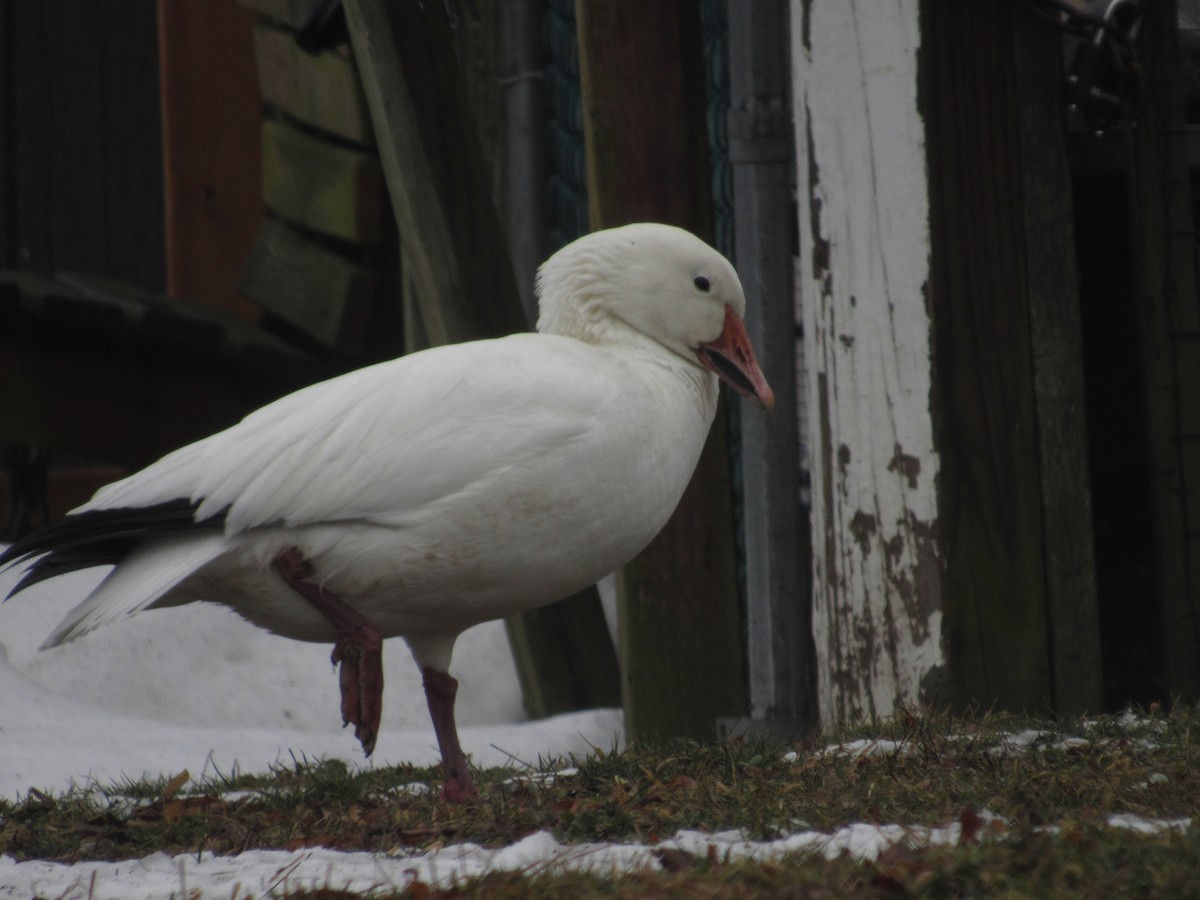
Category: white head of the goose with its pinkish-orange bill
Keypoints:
(659, 283)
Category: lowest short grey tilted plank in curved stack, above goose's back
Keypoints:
(316, 290)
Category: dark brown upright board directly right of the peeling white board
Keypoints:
(991, 508)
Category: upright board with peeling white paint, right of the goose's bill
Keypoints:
(865, 267)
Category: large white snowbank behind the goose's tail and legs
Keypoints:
(197, 688)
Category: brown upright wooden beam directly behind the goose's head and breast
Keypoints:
(647, 159)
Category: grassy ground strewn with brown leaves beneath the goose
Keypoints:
(1052, 787)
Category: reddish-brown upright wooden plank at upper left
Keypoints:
(211, 139)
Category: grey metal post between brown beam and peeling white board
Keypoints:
(779, 621)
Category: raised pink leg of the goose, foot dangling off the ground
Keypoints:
(359, 650)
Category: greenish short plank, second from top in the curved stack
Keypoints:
(322, 91)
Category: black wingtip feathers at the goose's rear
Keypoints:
(103, 537)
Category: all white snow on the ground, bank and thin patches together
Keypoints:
(196, 688)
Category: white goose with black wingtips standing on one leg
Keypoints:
(425, 495)
